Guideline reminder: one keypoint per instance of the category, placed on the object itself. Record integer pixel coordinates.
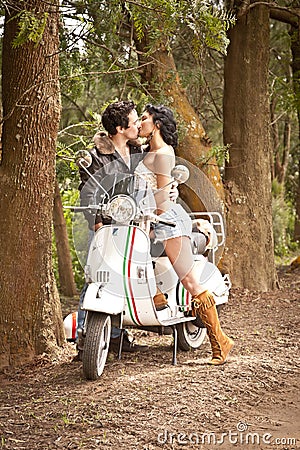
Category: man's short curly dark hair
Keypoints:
(116, 115)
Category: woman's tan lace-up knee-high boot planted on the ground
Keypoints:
(204, 306)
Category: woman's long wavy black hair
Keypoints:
(164, 118)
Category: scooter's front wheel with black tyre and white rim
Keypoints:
(96, 345)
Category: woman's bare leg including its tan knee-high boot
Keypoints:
(180, 254)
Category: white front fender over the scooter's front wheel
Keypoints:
(98, 299)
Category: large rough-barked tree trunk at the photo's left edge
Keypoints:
(30, 319)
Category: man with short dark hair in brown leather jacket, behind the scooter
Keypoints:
(118, 151)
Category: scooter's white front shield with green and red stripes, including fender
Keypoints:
(122, 275)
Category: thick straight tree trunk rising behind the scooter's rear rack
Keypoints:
(249, 253)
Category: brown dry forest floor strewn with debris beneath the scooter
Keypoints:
(143, 402)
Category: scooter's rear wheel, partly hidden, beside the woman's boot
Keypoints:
(190, 336)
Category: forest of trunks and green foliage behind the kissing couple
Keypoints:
(232, 76)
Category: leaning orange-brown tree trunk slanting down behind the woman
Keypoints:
(195, 146)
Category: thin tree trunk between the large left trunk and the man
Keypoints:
(65, 270)
